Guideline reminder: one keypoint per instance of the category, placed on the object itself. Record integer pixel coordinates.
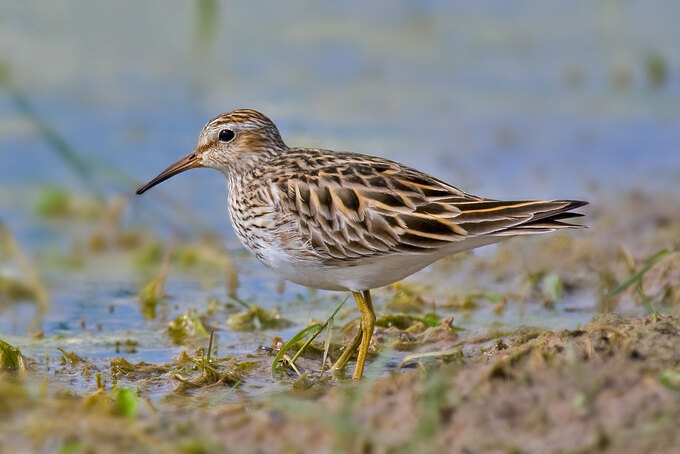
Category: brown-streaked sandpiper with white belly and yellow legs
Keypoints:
(347, 221)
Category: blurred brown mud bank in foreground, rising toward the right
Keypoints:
(611, 386)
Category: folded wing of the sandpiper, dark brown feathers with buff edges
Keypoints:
(355, 206)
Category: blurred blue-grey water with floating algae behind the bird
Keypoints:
(518, 99)
